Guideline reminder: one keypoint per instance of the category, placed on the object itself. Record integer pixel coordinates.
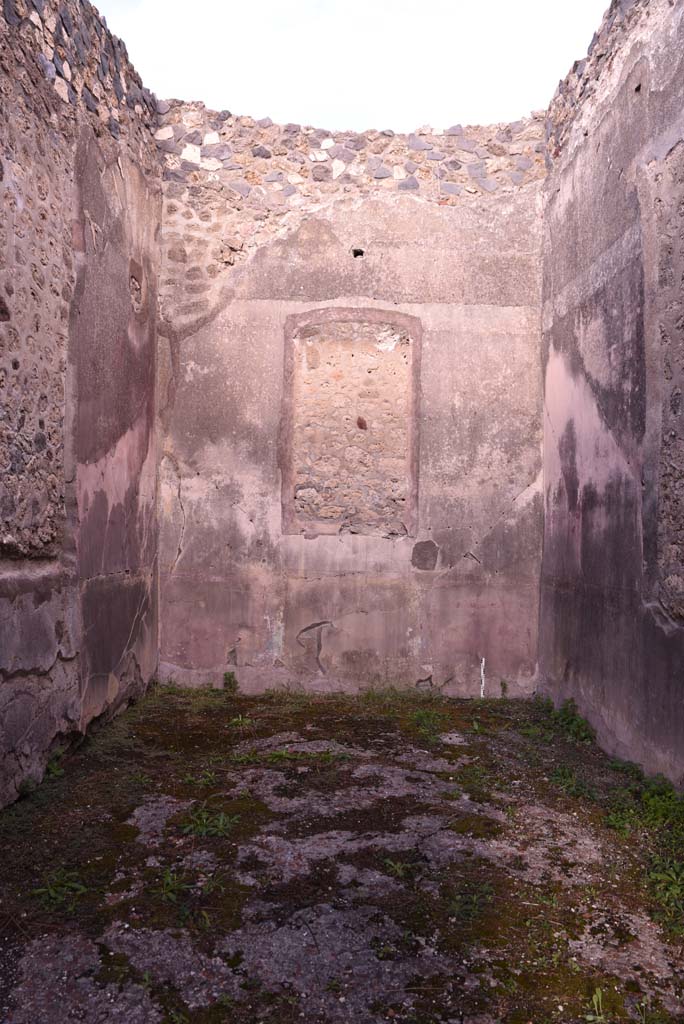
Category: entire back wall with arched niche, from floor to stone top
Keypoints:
(338, 588)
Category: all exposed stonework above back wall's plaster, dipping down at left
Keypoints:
(232, 185)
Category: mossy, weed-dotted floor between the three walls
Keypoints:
(210, 858)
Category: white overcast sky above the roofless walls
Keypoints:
(359, 64)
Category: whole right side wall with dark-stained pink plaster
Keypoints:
(613, 586)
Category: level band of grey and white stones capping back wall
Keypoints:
(274, 167)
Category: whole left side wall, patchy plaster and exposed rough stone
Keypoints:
(78, 273)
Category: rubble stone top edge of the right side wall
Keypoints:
(586, 77)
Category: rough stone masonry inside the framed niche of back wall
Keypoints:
(352, 429)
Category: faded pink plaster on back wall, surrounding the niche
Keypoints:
(283, 602)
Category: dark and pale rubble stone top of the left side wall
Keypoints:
(89, 68)
